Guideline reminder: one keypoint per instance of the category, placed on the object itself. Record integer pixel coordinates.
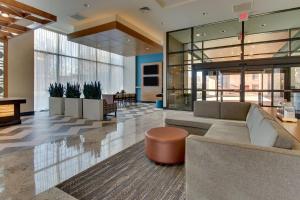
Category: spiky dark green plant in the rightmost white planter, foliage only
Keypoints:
(92, 90)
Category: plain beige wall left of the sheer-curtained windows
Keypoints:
(21, 69)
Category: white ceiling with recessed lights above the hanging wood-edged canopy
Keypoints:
(159, 20)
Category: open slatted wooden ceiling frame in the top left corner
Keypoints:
(17, 18)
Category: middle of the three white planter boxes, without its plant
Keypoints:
(73, 107)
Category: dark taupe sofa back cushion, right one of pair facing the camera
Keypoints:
(234, 110)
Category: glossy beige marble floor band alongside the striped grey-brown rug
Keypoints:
(27, 172)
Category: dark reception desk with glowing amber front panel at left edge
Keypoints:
(10, 111)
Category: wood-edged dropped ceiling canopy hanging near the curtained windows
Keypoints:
(116, 38)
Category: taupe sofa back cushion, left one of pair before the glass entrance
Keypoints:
(209, 109)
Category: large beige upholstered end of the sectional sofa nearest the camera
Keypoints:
(227, 171)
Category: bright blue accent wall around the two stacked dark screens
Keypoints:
(140, 60)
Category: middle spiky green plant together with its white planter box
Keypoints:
(73, 102)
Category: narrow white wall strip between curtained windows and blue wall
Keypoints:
(129, 74)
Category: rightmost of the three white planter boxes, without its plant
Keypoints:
(93, 109)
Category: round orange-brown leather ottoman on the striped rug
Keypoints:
(165, 145)
